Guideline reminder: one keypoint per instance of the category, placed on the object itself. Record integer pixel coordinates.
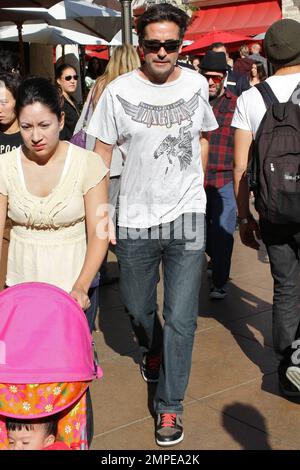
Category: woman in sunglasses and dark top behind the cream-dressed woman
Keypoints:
(67, 78)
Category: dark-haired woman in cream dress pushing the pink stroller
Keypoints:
(55, 195)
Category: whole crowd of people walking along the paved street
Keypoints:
(177, 143)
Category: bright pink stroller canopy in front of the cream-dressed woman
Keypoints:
(44, 337)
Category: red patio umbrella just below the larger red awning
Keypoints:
(206, 39)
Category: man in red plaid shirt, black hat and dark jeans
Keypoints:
(221, 205)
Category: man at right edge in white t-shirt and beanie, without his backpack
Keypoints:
(282, 240)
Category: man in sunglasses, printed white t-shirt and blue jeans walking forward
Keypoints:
(158, 116)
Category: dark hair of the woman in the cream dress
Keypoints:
(39, 90)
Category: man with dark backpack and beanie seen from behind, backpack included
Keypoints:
(267, 119)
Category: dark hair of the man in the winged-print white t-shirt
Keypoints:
(162, 12)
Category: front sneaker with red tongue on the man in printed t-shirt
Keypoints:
(169, 429)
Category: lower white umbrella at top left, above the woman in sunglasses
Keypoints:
(47, 34)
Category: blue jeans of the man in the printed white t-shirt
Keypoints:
(180, 247)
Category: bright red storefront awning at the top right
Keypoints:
(244, 18)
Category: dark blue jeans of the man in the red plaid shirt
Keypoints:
(221, 221)
